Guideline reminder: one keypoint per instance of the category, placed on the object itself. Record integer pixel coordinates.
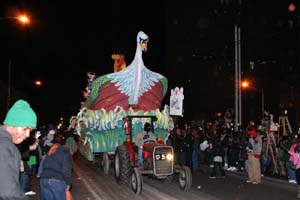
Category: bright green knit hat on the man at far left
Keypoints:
(20, 115)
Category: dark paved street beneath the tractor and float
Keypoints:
(90, 183)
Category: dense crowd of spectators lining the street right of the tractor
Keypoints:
(257, 150)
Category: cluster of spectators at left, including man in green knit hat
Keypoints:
(26, 152)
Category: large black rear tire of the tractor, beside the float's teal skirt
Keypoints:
(123, 168)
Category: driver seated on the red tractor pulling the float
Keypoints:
(141, 138)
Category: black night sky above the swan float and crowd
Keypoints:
(191, 43)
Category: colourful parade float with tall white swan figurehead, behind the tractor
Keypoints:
(133, 91)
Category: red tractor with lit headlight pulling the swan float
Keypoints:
(158, 161)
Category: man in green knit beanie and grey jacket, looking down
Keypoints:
(19, 121)
